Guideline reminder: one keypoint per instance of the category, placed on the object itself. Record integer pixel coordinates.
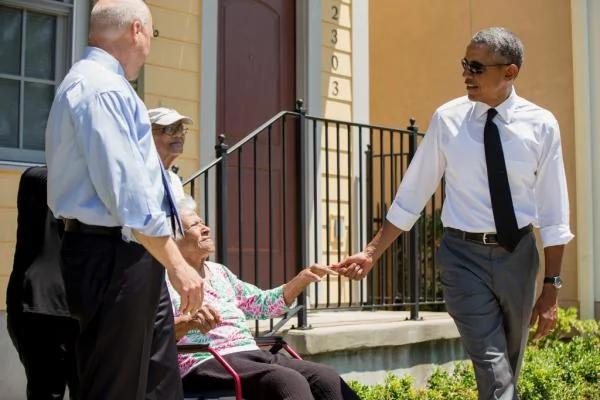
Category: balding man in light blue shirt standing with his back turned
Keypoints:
(106, 181)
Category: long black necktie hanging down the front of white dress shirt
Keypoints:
(502, 207)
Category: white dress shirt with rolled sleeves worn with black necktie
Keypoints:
(453, 148)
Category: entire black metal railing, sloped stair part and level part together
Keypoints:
(301, 189)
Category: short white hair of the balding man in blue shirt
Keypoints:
(110, 18)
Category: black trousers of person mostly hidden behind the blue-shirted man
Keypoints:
(46, 347)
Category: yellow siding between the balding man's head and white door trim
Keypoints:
(172, 71)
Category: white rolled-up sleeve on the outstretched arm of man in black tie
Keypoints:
(421, 179)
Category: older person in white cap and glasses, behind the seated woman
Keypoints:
(169, 130)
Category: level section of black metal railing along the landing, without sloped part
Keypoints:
(361, 168)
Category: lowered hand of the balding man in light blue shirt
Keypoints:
(190, 287)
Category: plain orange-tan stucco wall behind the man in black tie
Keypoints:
(415, 48)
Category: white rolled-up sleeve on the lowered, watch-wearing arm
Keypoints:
(552, 200)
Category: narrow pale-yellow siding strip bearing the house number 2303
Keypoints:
(336, 101)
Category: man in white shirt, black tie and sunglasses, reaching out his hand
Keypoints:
(502, 161)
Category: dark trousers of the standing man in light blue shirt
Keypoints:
(113, 289)
